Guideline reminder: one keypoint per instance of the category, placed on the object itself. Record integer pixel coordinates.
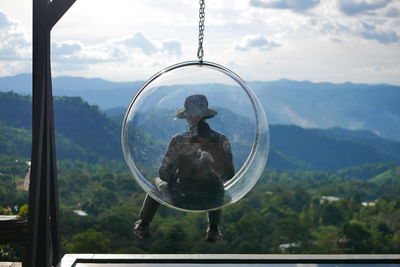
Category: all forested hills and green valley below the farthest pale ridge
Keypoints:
(321, 192)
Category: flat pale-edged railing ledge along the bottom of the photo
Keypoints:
(81, 260)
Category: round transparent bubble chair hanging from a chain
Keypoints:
(195, 137)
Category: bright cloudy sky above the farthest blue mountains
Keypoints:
(124, 40)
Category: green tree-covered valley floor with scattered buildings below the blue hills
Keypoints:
(287, 212)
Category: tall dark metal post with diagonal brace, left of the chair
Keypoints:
(43, 246)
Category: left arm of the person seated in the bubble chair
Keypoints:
(170, 161)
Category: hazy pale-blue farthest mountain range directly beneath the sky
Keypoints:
(306, 104)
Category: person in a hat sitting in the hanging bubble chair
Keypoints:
(194, 169)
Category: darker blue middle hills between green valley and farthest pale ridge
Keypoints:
(86, 133)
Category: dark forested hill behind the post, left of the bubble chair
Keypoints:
(82, 131)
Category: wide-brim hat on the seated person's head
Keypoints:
(196, 106)
